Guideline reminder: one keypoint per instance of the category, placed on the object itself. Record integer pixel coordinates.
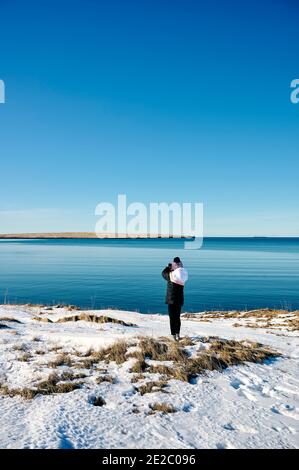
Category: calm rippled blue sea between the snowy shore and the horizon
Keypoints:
(226, 273)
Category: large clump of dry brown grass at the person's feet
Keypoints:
(218, 356)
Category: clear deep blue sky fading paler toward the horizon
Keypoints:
(161, 100)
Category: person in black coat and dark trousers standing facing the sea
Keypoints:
(176, 275)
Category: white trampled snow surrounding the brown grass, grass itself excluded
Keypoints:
(245, 406)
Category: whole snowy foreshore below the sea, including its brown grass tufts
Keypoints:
(78, 379)
